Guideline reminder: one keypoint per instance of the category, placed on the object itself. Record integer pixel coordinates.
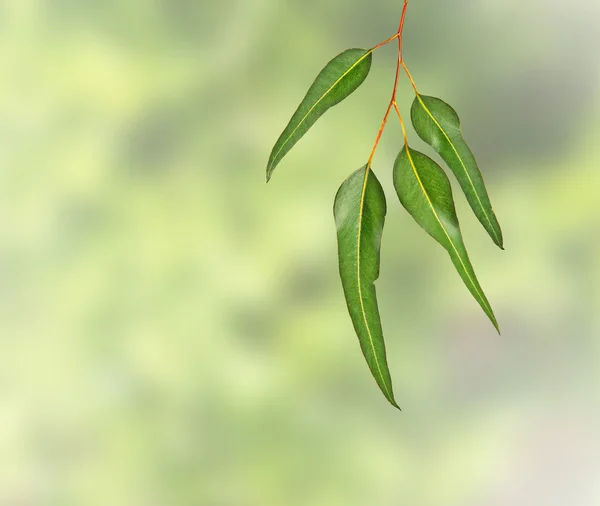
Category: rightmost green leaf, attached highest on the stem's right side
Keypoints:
(439, 126)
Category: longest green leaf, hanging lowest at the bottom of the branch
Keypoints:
(359, 212)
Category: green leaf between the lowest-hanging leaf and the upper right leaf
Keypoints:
(425, 191)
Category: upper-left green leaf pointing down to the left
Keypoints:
(340, 78)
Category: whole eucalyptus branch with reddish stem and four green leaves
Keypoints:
(421, 185)
